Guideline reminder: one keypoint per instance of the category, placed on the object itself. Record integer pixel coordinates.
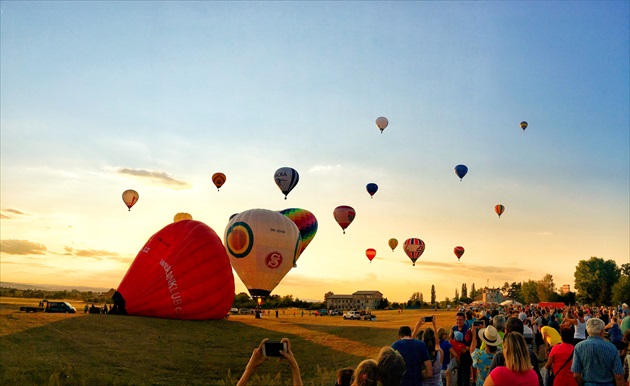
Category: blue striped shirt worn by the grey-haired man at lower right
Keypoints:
(597, 360)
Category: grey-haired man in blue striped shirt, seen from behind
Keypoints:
(596, 361)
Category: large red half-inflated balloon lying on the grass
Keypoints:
(182, 272)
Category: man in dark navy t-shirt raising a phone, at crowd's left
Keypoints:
(415, 354)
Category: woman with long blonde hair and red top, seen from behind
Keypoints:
(518, 368)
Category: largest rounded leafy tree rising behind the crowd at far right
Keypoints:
(594, 280)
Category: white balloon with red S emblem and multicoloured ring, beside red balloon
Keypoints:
(263, 246)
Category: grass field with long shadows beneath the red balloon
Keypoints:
(85, 349)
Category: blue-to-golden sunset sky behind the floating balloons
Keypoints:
(101, 97)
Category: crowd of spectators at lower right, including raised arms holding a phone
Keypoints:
(574, 345)
